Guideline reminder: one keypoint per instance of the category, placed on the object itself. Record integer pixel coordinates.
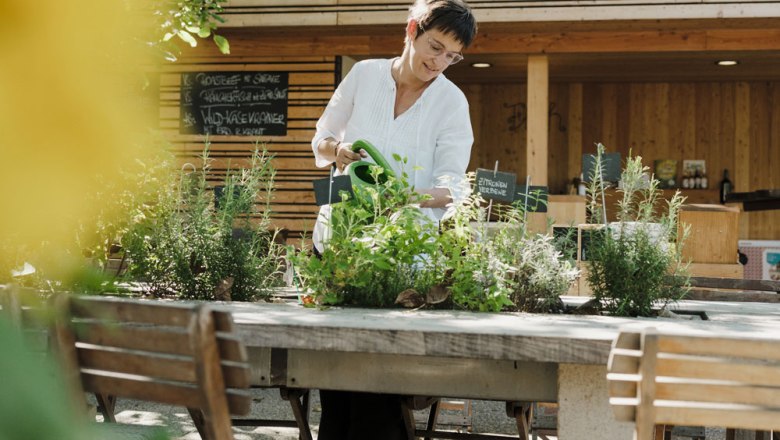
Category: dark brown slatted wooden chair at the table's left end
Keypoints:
(180, 354)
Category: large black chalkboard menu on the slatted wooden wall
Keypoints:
(234, 103)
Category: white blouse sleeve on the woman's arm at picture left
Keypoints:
(333, 122)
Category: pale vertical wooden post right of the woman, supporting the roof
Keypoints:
(538, 104)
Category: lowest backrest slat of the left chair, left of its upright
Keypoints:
(185, 394)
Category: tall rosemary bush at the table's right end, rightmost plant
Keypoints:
(632, 259)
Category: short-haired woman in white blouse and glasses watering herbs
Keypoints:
(402, 106)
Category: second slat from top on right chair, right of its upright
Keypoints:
(719, 369)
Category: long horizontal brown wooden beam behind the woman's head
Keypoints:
(388, 40)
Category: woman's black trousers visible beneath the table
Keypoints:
(360, 416)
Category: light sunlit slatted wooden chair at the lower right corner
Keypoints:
(659, 379)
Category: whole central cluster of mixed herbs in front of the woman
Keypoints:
(383, 250)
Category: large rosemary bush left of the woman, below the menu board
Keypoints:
(189, 244)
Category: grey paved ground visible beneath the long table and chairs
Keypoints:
(487, 417)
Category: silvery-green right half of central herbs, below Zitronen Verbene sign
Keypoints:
(506, 269)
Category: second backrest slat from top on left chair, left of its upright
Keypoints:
(134, 337)
